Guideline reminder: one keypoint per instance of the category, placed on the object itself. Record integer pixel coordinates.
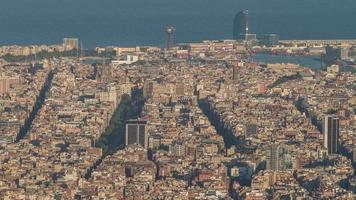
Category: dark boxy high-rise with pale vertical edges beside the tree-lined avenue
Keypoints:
(136, 133)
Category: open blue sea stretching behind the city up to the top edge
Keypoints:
(129, 22)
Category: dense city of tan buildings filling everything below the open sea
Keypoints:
(183, 120)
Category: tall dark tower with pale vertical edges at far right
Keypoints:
(331, 133)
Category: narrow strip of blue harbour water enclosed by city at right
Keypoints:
(304, 61)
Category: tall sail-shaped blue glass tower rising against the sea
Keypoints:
(240, 25)
